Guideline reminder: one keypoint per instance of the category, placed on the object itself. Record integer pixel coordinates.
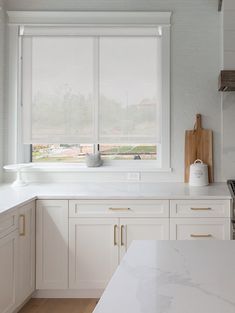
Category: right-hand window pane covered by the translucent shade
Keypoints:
(129, 89)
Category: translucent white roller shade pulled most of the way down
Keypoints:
(90, 88)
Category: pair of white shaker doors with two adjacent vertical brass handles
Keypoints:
(96, 246)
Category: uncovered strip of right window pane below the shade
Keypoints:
(128, 152)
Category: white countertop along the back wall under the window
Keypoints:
(11, 197)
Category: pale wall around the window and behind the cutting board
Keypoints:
(196, 57)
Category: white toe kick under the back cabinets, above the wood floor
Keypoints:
(67, 293)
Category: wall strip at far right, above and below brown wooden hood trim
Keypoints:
(229, 97)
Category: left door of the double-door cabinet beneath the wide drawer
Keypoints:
(93, 252)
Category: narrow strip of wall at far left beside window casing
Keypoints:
(2, 29)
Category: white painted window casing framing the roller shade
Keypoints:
(17, 19)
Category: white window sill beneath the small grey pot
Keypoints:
(83, 168)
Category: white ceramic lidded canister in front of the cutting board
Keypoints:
(198, 175)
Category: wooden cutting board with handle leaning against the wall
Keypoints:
(199, 145)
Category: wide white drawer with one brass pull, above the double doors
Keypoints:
(116, 208)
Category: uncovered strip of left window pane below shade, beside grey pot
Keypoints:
(60, 153)
